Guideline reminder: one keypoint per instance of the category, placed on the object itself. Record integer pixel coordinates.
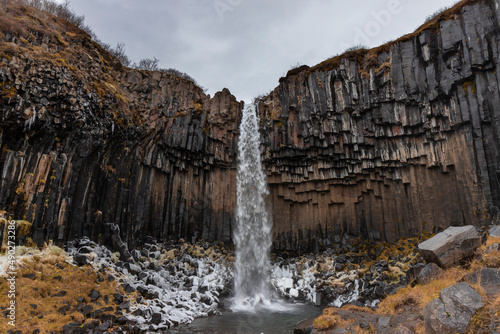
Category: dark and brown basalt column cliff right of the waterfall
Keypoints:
(391, 141)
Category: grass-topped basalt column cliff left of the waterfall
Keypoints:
(86, 142)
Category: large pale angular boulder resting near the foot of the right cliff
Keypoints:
(450, 246)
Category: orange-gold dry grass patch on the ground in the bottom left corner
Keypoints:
(37, 299)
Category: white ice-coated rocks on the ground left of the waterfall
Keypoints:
(179, 303)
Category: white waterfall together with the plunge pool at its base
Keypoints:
(255, 308)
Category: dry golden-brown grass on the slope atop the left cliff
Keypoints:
(65, 46)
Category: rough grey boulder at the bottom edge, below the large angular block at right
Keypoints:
(453, 310)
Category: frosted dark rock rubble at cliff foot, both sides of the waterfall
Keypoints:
(167, 285)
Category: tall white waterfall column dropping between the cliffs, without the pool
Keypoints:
(252, 235)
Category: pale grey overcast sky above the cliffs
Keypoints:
(247, 45)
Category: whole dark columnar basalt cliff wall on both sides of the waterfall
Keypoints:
(376, 143)
